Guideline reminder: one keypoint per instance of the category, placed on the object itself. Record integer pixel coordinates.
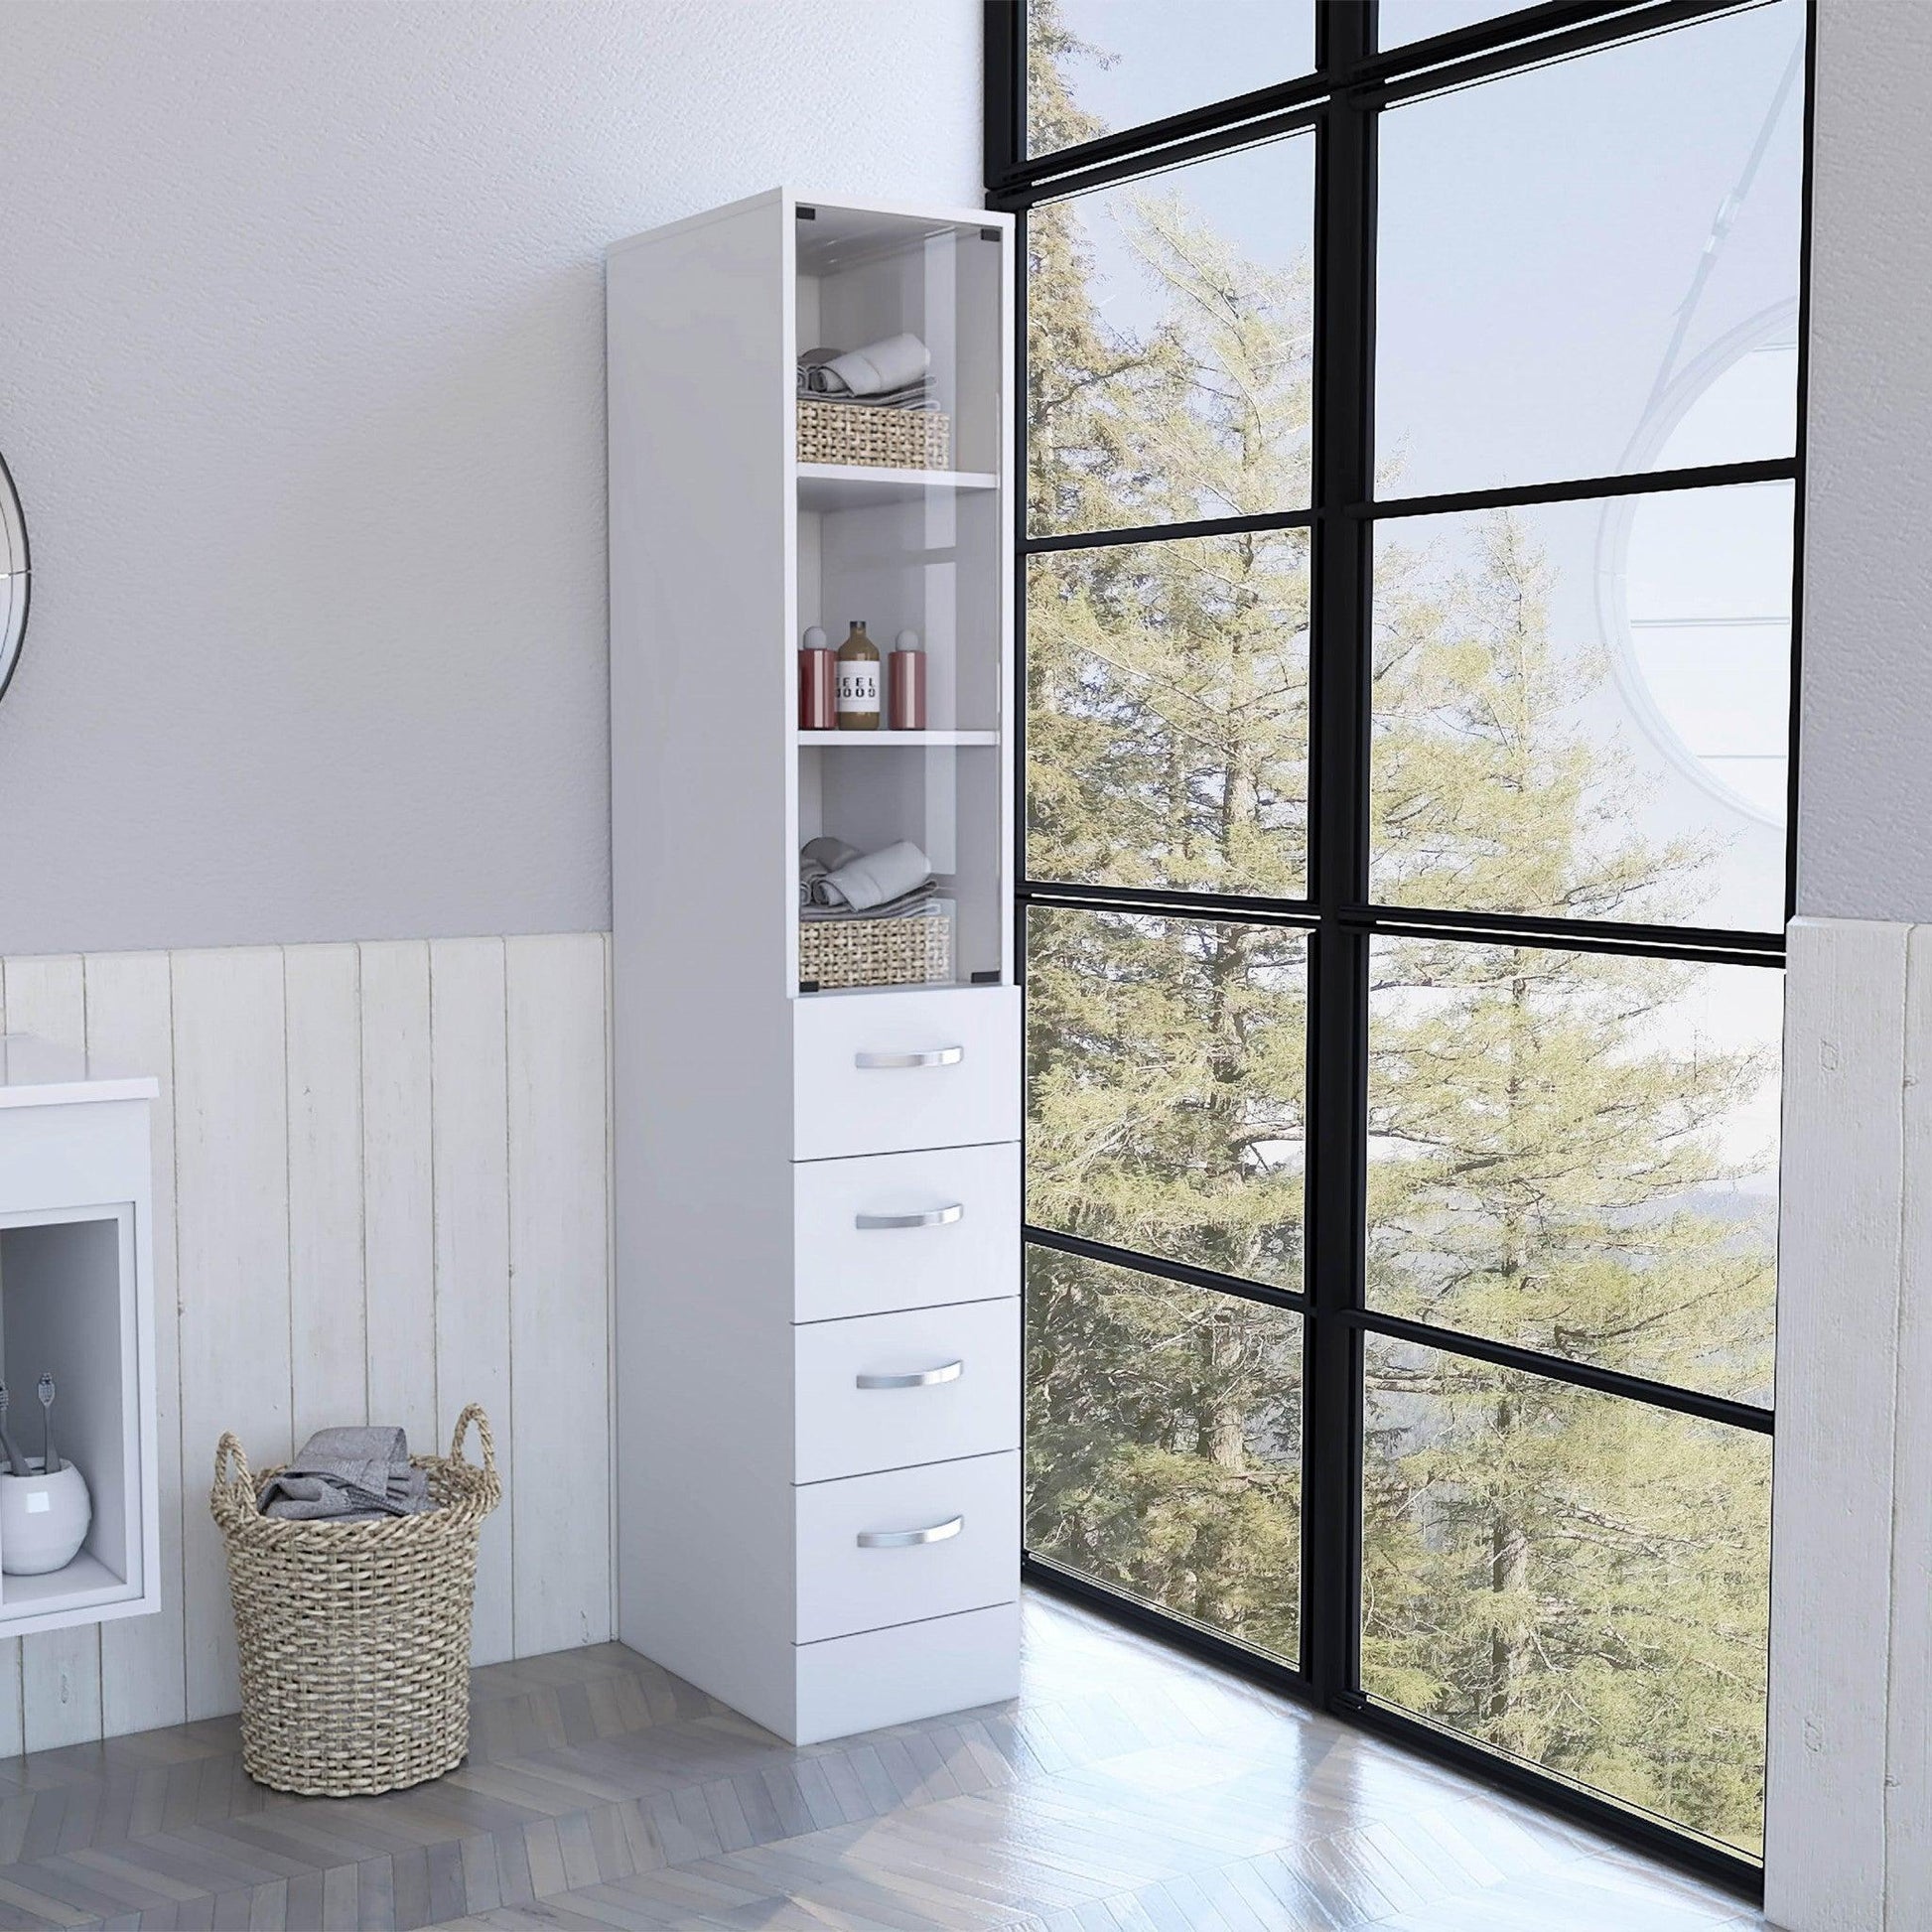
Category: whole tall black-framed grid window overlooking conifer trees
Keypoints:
(1411, 418)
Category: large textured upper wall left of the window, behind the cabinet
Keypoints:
(302, 385)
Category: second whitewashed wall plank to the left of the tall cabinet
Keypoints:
(472, 1185)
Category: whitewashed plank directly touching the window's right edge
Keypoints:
(1833, 1500)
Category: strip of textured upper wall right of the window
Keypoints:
(1865, 810)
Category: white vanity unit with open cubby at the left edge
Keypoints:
(76, 1299)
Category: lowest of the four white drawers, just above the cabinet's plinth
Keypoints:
(969, 1510)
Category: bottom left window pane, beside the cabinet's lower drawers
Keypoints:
(1164, 1444)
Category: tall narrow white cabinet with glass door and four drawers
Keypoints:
(818, 1193)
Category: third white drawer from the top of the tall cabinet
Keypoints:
(928, 1386)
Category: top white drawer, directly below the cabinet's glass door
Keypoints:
(876, 1073)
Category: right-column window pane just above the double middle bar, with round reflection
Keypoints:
(1581, 710)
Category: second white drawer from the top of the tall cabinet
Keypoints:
(845, 1268)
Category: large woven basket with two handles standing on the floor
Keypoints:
(355, 1637)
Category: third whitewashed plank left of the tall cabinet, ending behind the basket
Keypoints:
(399, 1203)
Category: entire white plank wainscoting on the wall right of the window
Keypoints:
(1852, 1504)
